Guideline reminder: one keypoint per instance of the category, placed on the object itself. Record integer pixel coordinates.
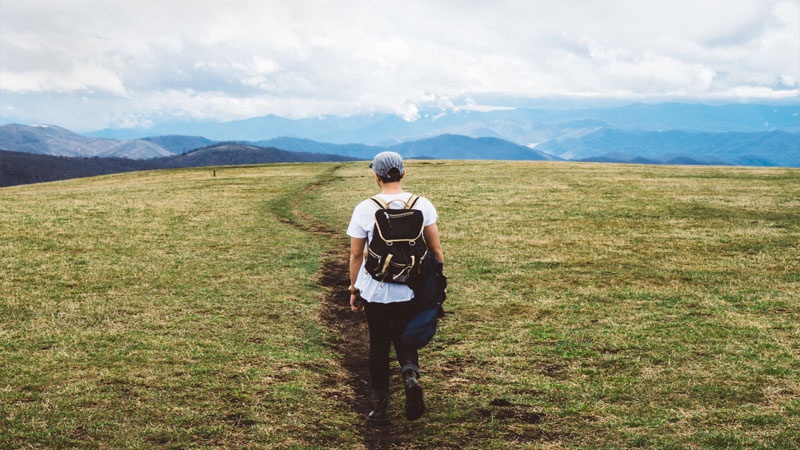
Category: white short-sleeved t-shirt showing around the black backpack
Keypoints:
(361, 226)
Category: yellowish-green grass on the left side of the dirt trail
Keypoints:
(166, 309)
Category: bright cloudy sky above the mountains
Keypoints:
(92, 64)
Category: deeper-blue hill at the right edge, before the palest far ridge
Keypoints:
(774, 148)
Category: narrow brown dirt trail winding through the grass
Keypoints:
(350, 329)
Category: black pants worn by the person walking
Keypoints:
(386, 324)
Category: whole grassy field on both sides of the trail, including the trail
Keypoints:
(590, 306)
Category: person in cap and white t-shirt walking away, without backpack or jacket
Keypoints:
(388, 305)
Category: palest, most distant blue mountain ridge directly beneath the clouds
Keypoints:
(521, 126)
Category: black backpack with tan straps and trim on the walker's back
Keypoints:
(398, 247)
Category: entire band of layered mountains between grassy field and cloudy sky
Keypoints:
(670, 133)
